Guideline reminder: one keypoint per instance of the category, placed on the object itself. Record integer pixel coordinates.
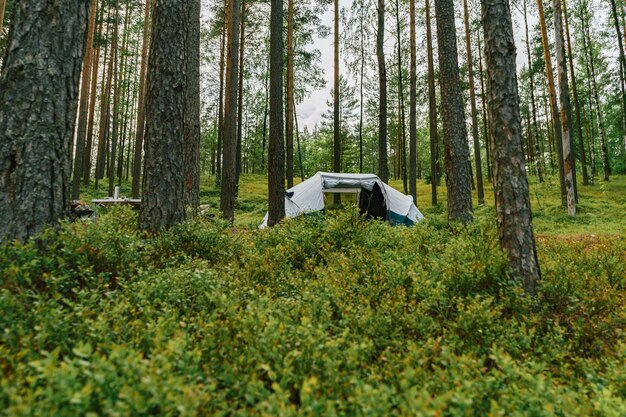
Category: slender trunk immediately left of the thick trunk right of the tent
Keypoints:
(432, 109)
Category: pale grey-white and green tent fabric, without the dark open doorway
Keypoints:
(308, 196)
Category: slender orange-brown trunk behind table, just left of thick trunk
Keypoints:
(141, 108)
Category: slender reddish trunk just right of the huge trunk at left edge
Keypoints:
(84, 101)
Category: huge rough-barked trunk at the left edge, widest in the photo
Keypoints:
(38, 100)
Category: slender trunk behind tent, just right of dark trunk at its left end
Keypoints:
(289, 105)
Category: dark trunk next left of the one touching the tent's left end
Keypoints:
(229, 168)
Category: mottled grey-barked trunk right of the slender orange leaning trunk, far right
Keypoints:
(566, 114)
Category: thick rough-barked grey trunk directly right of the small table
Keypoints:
(163, 202)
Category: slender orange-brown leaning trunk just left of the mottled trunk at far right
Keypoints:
(553, 104)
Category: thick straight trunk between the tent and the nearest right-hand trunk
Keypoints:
(458, 169)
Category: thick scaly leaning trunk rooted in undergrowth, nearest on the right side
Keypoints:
(514, 216)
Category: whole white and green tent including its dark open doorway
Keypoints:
(376, 199)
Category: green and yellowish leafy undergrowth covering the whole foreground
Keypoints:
(315, 317)
